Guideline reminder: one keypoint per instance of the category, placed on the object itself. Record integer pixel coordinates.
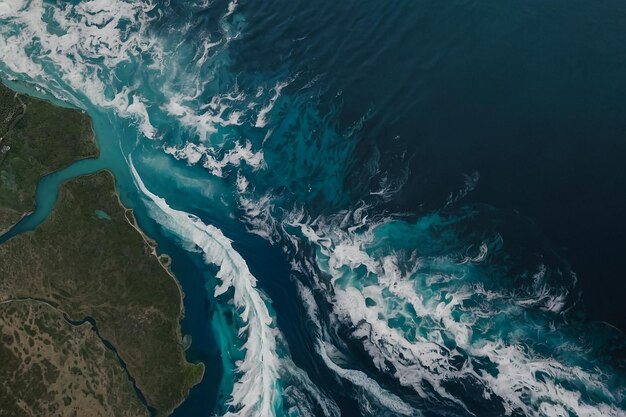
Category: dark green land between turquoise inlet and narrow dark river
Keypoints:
(103, 268)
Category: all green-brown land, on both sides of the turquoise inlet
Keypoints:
(89, 316)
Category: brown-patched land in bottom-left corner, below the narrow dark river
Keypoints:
(50, 367)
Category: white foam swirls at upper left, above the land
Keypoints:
(83, 44)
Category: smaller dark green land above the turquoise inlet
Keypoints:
(36, 138)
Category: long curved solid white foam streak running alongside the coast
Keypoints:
(255, 392)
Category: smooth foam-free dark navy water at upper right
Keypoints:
(527, 94)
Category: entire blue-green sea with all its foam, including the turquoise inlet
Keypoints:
(374, 208)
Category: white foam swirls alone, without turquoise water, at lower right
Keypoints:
(525, 381)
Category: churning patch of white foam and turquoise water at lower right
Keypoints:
(450, 326)
